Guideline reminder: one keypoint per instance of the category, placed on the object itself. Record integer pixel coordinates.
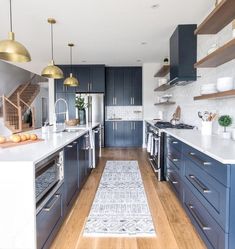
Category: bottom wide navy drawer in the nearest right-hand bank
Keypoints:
(212, 234)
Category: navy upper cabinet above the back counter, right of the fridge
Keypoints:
(123, 86)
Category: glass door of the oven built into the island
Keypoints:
(47, 176)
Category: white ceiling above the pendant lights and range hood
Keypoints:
(104, 31)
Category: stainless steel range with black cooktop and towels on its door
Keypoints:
(155, 144)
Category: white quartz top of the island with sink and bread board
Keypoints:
(52, 142)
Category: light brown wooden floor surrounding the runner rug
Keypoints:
(173, 228)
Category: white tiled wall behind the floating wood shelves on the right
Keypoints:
(183, 95)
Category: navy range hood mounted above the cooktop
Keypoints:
(183, 55)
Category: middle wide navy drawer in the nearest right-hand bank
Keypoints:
(210, 192)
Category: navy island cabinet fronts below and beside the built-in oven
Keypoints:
(76, 171)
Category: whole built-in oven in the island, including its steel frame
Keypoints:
(48, 173)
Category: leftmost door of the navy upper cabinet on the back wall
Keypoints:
(109, 93)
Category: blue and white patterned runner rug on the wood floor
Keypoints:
(120, 207)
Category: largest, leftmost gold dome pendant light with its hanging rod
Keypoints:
(11, 50)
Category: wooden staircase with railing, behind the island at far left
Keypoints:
(16, 105)
